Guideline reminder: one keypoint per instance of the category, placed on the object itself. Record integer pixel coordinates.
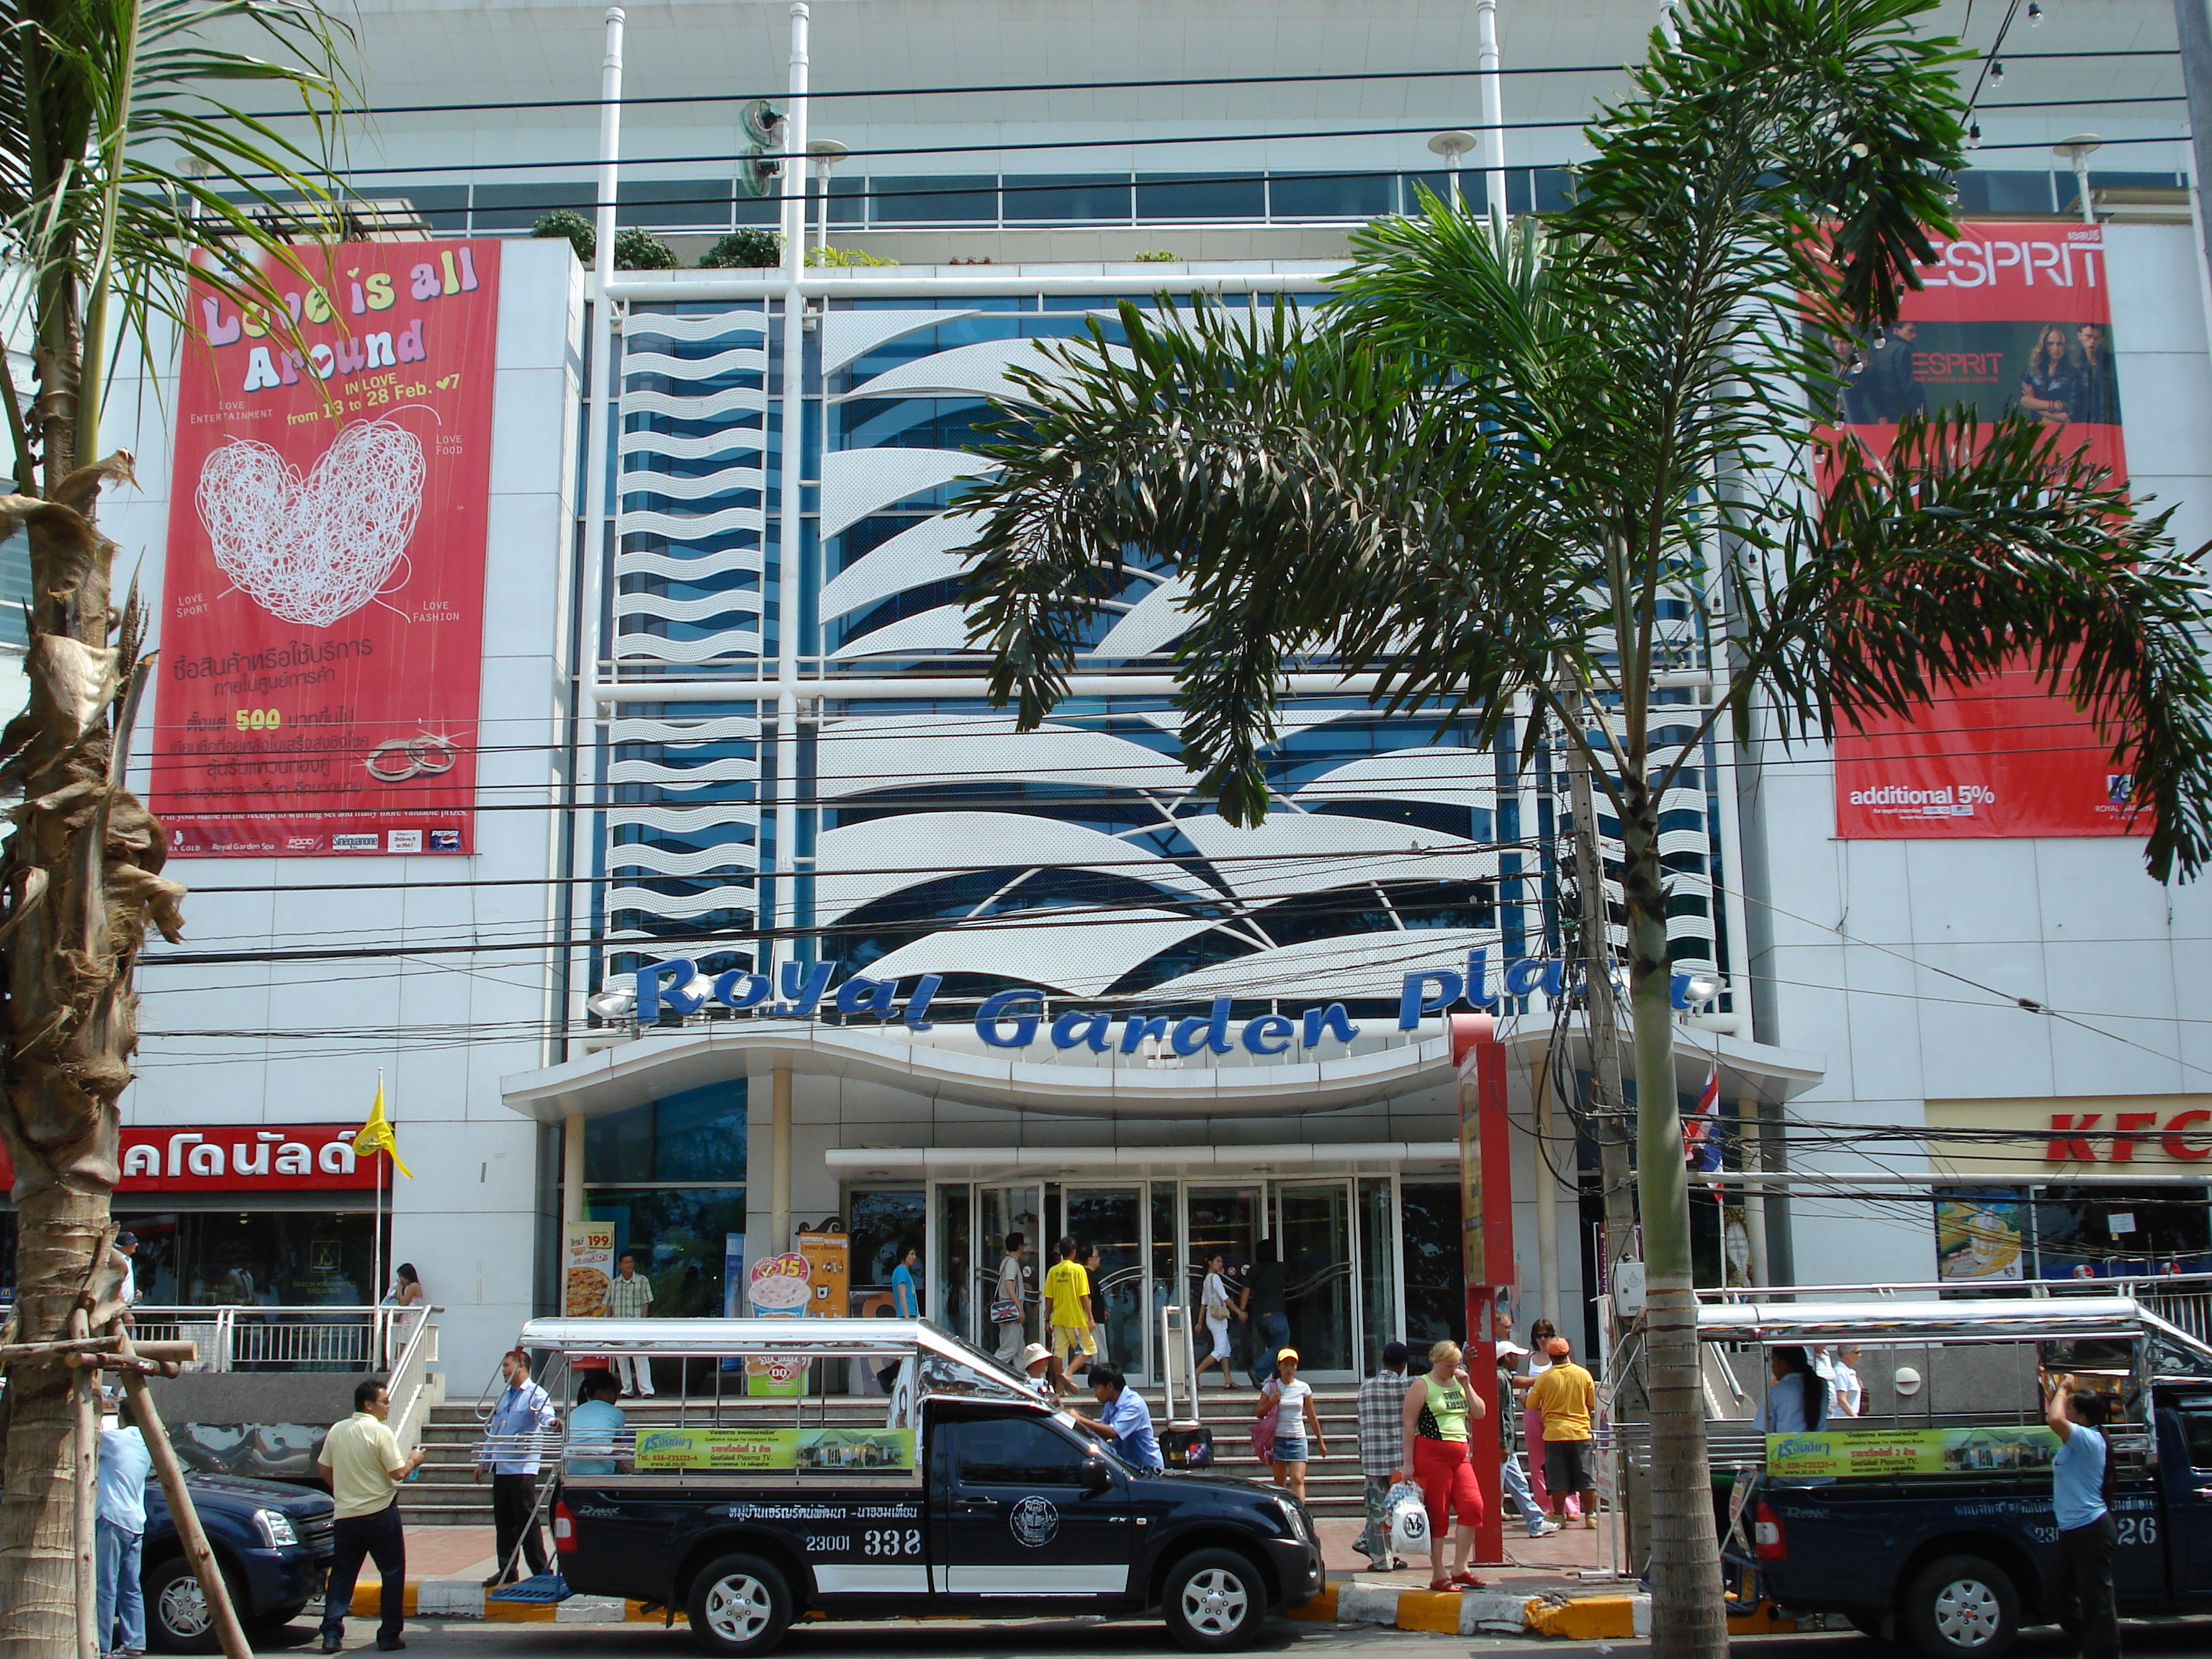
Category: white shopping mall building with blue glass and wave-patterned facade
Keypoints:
(941, 979)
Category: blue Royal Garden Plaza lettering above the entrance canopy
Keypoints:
(1016, 1019)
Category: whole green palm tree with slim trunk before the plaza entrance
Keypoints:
(1503, 466)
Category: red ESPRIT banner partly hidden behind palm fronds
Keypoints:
(2014, 317)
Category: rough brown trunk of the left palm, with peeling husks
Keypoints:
(79, 879)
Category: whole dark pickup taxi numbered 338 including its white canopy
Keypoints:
(954, 1492)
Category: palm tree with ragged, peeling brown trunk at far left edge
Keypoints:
(125, 171)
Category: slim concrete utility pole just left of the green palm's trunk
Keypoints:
(1607, 1109)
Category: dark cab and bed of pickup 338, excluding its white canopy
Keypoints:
(1012, 1512)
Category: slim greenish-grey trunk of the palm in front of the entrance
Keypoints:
(1687, 1554)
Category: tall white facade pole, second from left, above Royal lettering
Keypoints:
(789, 521)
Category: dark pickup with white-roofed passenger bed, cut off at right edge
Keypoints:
(1928, 1519)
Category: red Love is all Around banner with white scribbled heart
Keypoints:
(324, 592)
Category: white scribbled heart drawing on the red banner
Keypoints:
(313, 547)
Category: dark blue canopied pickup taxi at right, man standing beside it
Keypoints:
(1952, 1554)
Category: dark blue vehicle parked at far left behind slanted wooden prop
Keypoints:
(273, 1543)
